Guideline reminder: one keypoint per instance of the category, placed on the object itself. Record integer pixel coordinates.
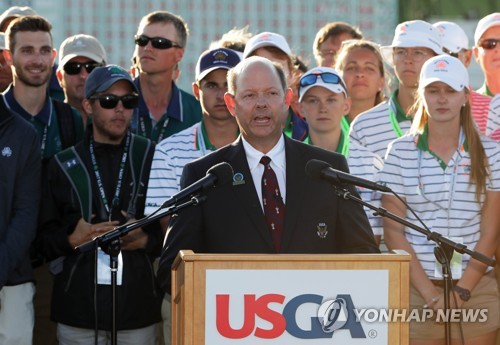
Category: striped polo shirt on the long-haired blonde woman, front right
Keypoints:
(439, 193)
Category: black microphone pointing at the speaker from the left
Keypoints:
(220, 173)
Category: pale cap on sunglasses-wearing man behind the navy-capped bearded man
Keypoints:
(81, 45)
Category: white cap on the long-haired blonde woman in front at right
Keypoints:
(446, 69)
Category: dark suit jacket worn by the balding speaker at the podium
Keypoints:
(231, 220)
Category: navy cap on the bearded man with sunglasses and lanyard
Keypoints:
(102, 78)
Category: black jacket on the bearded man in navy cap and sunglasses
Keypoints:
(138, 298)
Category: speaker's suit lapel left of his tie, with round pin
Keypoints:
(245, 192)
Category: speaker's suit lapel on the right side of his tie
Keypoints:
(295, 190)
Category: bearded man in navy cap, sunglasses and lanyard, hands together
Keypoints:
(115, 164)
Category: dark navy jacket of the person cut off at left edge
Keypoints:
(19, 196)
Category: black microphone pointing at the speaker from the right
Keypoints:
(322, 170)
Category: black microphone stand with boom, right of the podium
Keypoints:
(443, 251)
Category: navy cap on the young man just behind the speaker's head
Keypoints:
(214, 59)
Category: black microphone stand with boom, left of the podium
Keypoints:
(110, 244)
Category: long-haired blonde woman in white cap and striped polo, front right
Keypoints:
(450, 176)
